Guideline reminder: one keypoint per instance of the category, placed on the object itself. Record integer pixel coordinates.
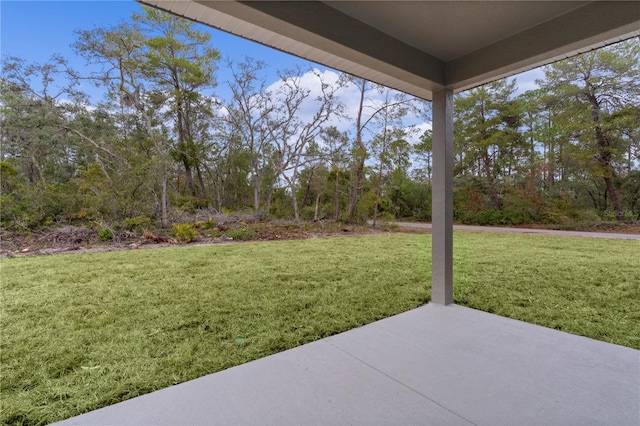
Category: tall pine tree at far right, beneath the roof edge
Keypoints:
(593, 87)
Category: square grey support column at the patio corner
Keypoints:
(442, 199)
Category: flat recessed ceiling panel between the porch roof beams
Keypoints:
(468, 25)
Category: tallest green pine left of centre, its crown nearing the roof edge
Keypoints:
(180, 65)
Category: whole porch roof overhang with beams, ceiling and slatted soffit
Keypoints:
(422, 46)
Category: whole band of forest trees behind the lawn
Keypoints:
(161, 146)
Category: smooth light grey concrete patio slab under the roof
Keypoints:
(433, 365)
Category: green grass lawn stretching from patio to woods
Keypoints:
(84, 331)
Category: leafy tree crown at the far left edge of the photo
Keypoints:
(37, 103)
